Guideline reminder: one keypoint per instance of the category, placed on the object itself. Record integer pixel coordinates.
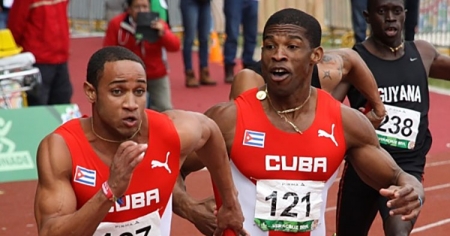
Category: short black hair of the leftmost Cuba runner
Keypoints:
(107, 54)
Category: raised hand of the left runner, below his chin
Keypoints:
(127, 157)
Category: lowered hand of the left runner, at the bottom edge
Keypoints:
(230, 218)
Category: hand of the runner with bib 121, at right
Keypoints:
(403, 200)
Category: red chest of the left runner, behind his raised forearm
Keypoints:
(150, 186)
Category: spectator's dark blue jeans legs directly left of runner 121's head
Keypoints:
(239, 12)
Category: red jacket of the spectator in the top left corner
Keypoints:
(42, 28)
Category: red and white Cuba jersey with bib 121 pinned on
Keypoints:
(283, 178)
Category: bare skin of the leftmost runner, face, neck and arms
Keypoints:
(121, 94)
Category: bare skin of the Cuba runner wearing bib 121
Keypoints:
(286, 46)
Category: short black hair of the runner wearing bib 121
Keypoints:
(293, 16)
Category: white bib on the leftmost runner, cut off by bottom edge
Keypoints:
(147, 225)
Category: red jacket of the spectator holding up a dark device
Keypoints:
(120, 32)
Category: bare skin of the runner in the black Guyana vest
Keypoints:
(382, 14)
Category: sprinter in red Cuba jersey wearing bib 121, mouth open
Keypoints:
(287, 139)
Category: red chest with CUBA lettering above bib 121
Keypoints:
(313, 155)
